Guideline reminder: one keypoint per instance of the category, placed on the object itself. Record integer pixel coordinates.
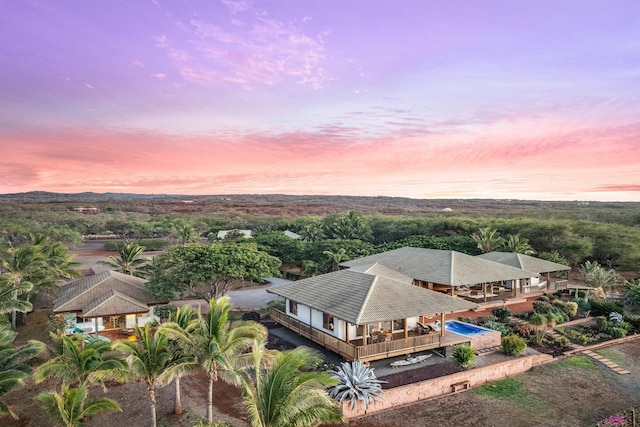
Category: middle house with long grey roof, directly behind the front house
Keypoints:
(451, 272)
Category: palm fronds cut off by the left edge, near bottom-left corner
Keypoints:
(14, 363)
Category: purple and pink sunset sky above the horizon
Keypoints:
(424, 99)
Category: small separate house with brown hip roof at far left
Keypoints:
(106, 300)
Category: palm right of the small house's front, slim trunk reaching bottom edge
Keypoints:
(150, 360)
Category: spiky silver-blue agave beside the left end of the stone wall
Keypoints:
(356, 381)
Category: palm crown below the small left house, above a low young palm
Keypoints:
(77, 364)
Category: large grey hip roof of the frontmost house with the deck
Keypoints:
(360, 297)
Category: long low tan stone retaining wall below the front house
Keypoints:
(441, 386)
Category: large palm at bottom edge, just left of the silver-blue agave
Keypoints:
(281, 389)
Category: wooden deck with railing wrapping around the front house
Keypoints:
(355, 350)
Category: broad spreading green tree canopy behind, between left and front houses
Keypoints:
(209, 271)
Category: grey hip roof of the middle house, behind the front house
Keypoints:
(442, 267)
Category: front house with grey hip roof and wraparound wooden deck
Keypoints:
(368, 312)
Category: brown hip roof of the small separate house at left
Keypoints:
(107, 293)
